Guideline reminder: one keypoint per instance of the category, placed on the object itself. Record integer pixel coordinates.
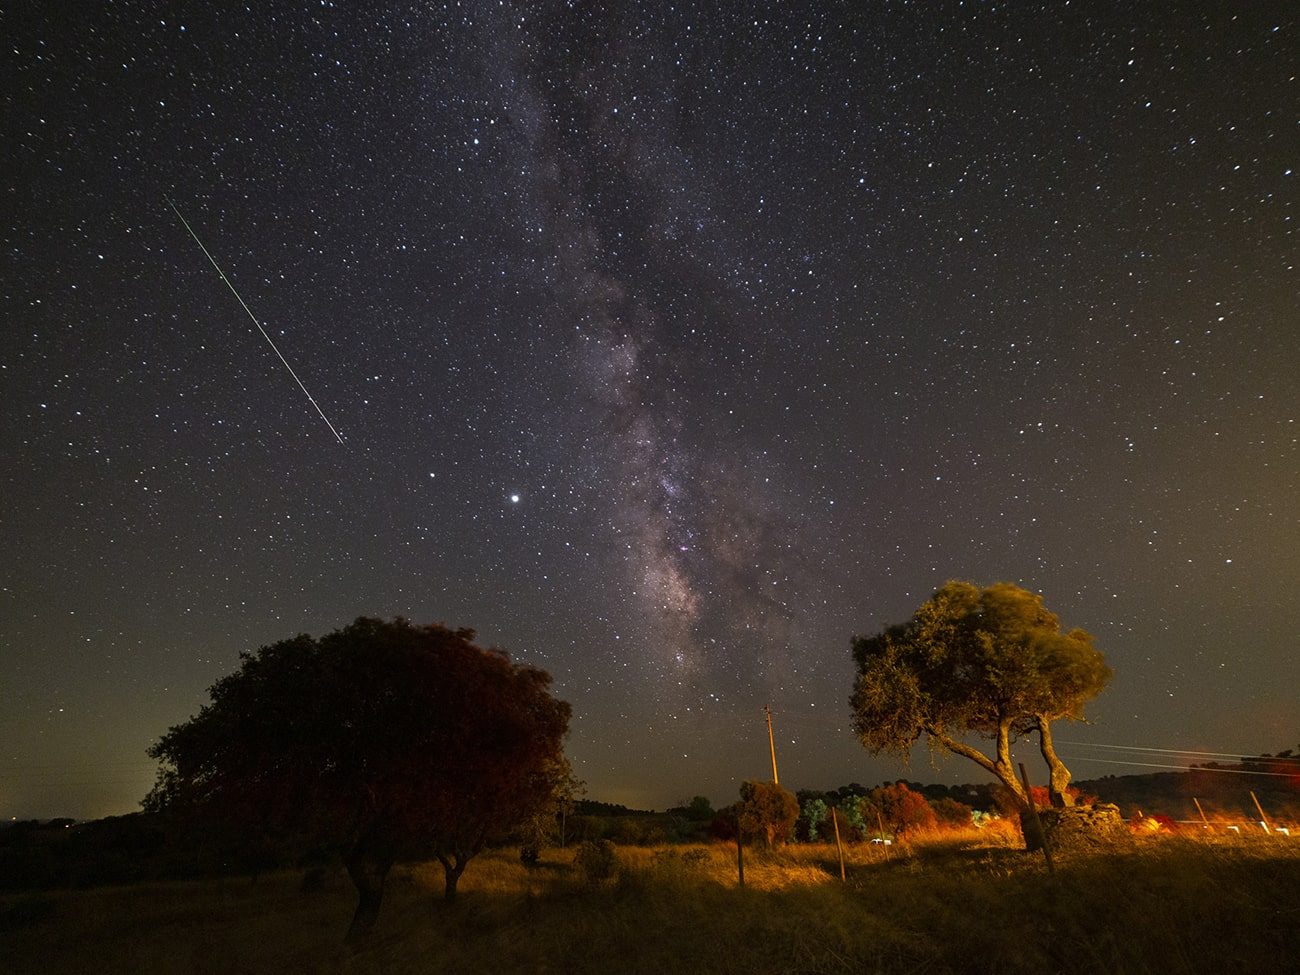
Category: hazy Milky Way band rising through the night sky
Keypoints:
(699, 543)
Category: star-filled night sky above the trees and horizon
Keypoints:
(670, 345)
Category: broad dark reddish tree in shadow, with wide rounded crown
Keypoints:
(380, 740)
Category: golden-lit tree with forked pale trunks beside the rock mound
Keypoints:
(977, 662)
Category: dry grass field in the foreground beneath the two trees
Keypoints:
(1162, 904)
